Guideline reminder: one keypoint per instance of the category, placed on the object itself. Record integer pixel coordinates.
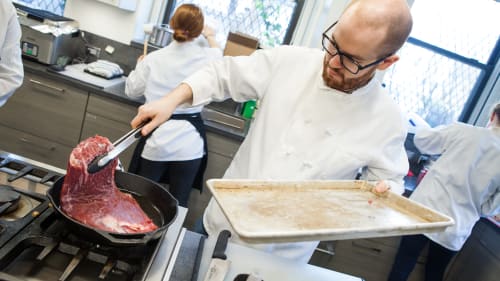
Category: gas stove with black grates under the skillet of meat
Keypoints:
(35, 244)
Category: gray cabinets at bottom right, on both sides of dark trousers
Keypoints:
(372, 258)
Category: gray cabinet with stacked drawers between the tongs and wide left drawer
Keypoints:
(109, 118)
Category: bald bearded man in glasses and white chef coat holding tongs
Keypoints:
(321, 115)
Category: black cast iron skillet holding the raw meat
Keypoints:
(154, 200)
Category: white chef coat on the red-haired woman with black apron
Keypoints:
(154, 77)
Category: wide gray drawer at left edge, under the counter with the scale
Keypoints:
(47, 109)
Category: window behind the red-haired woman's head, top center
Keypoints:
(272, 21)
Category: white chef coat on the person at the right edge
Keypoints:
(464, 182)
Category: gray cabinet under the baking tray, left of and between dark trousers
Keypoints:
(370, 259)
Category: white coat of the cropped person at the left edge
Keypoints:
(11, 66)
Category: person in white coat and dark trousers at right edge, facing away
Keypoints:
(464, 183)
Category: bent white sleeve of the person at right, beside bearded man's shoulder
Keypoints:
(431, 140)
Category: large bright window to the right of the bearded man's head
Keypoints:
(452, 51)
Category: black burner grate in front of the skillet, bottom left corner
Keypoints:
(47, 248)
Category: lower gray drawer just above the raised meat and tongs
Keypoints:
(113, 130)
